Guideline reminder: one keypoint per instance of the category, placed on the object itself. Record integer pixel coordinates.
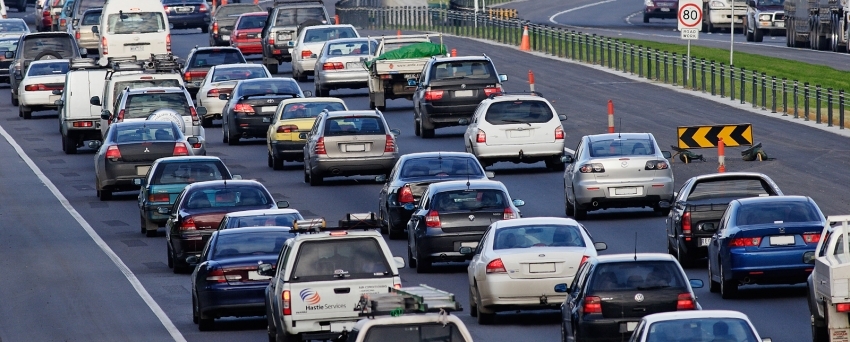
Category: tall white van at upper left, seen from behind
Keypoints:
(133, 28)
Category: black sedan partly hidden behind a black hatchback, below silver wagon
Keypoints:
(411, 176)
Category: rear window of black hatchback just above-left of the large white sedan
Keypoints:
(469, 199)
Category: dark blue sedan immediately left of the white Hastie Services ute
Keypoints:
(226, 282)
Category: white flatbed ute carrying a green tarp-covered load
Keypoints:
(390, 78)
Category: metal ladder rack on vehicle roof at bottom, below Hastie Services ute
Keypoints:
(407, 300)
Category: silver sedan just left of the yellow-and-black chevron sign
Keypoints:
(617, 170)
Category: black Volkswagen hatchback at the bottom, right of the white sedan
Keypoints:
(610, 294)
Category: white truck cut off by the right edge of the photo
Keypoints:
(829, 283)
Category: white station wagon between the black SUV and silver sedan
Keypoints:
(516, 128)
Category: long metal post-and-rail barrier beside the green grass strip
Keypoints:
(779, 95)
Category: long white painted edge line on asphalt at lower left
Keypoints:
(131, 277)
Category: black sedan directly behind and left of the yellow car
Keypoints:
(252, 104)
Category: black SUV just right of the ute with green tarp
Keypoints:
(449, 90)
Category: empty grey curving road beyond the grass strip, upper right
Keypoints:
(623, 19)
